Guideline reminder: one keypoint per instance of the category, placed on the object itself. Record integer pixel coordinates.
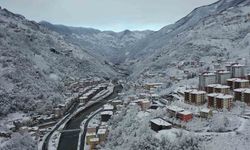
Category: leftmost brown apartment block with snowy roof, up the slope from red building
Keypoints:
(195, 97)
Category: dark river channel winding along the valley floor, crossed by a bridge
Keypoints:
(68, 140)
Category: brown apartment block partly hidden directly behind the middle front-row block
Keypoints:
(217, 88)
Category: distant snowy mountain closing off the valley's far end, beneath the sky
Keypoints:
(112, 45)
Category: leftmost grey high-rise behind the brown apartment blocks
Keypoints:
(205, 79)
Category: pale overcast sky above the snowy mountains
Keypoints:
(114, 15)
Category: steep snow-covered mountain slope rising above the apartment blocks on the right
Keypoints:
(207, 33)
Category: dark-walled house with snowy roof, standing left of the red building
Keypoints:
(158, 124)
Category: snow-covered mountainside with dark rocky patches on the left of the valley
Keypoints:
(34, 63)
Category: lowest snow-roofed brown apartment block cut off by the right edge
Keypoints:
(243, 95)
